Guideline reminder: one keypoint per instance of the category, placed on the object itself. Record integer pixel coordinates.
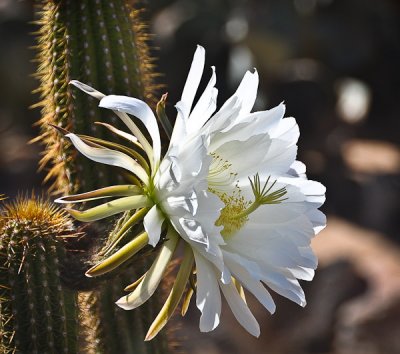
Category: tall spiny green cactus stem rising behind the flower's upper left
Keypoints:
(98, 42)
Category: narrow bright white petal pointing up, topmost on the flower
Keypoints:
(192, 81)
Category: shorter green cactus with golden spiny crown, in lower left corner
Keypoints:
(37, 313)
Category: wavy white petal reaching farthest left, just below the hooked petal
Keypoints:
(109, 157)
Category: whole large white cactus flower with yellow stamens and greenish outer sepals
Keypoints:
(229, 187)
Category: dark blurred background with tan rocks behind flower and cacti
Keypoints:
(335, 63)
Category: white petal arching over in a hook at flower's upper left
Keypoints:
(140, 110)
